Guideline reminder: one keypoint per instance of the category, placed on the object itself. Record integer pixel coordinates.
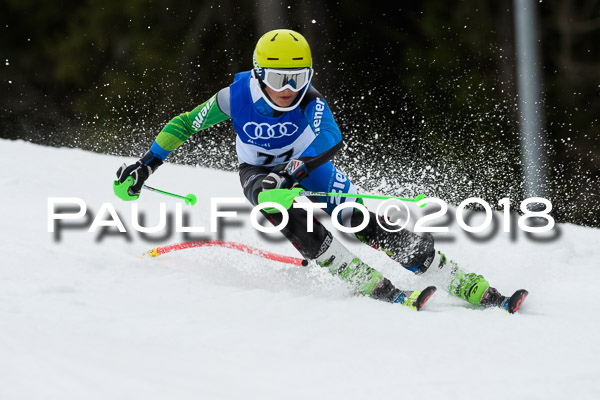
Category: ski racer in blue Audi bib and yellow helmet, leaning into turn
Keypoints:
(287, 137)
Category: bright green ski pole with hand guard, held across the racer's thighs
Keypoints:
(286, 197)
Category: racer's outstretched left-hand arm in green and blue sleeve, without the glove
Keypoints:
(180, 128)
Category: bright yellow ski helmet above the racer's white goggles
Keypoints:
(282, 48)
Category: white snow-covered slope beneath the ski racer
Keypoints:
(85, 317)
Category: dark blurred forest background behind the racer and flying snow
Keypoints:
(424, 91)
